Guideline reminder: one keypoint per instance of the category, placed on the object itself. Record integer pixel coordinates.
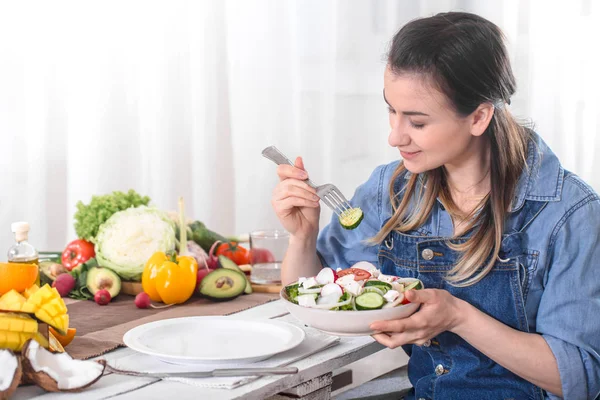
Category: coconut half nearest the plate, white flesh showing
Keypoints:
(58, 372)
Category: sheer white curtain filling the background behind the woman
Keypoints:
(177, 98)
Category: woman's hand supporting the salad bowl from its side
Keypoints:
(439, 312)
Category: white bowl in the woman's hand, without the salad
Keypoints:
(346, 323)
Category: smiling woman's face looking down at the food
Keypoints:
(424, 126)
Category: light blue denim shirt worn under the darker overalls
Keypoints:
(562, 289)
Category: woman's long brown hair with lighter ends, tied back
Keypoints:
(465, 56)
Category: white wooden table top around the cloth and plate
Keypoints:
(313, 380)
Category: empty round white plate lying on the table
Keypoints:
(213, 340)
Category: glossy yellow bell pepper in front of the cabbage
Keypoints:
(169, 279)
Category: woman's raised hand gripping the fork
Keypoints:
(295, 202)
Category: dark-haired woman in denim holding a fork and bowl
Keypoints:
(480, 209)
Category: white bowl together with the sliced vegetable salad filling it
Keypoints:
(349, 320)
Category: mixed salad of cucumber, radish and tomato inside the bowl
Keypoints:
(360, 287)
